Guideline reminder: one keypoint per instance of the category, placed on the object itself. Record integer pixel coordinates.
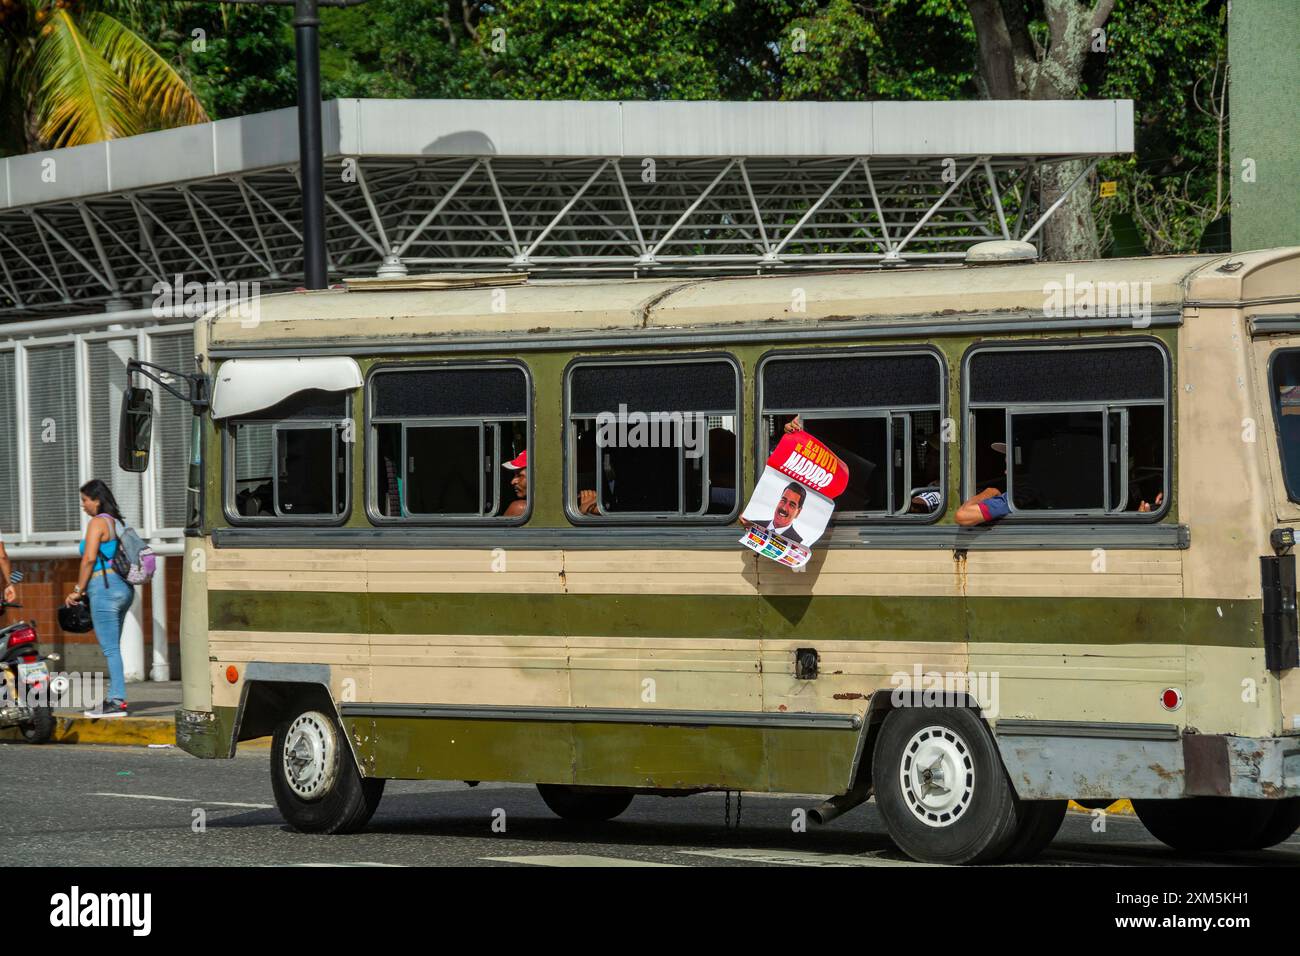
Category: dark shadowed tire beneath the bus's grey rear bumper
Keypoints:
(1206, 825)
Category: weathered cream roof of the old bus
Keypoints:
(504, 308)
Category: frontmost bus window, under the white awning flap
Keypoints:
(291, 461)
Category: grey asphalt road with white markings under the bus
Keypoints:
(125, 806)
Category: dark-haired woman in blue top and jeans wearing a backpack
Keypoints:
(110, 596)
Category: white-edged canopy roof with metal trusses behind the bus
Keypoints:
(547, 189)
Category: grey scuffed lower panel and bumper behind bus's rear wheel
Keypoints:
(1054, 762)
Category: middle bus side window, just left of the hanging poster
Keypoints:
(652, 442)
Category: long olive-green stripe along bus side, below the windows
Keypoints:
(1204, 622)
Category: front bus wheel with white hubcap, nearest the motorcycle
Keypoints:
(318, 788)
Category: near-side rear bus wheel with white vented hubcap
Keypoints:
(967, 812)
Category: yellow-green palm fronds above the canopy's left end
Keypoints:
(72, 73)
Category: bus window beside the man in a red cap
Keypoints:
(440, 438)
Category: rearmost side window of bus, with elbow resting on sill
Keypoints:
(1069, 430)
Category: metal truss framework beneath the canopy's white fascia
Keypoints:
(562, 217)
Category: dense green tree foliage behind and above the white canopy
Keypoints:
(1167, 55)
